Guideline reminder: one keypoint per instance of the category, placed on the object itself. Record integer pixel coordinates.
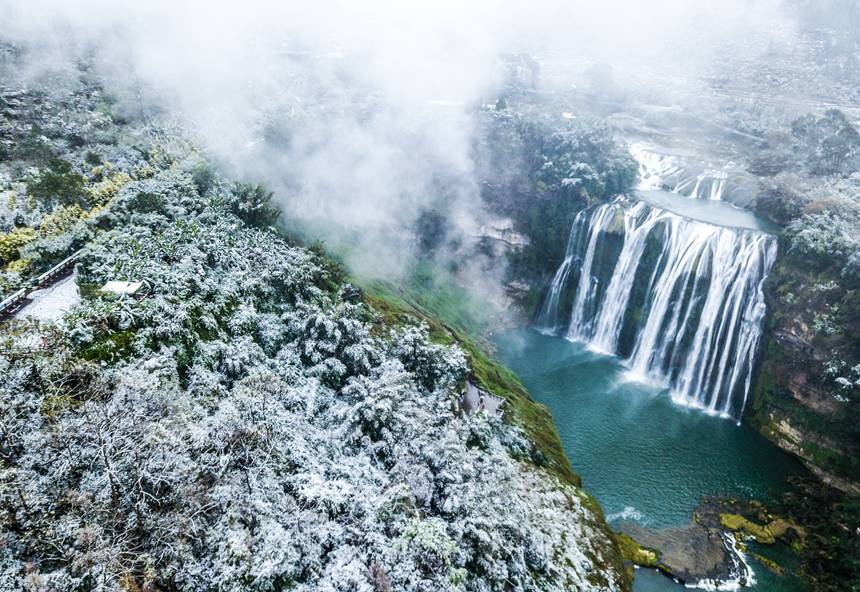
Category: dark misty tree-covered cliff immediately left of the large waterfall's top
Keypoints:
(542, 174)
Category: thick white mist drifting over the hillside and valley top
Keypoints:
(361, 116)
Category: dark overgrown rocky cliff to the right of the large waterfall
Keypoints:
(799, 402)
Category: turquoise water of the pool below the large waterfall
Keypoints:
(644, 457)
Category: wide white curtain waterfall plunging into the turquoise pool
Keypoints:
(679, 300)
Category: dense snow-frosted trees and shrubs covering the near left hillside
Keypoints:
(242, 429)
